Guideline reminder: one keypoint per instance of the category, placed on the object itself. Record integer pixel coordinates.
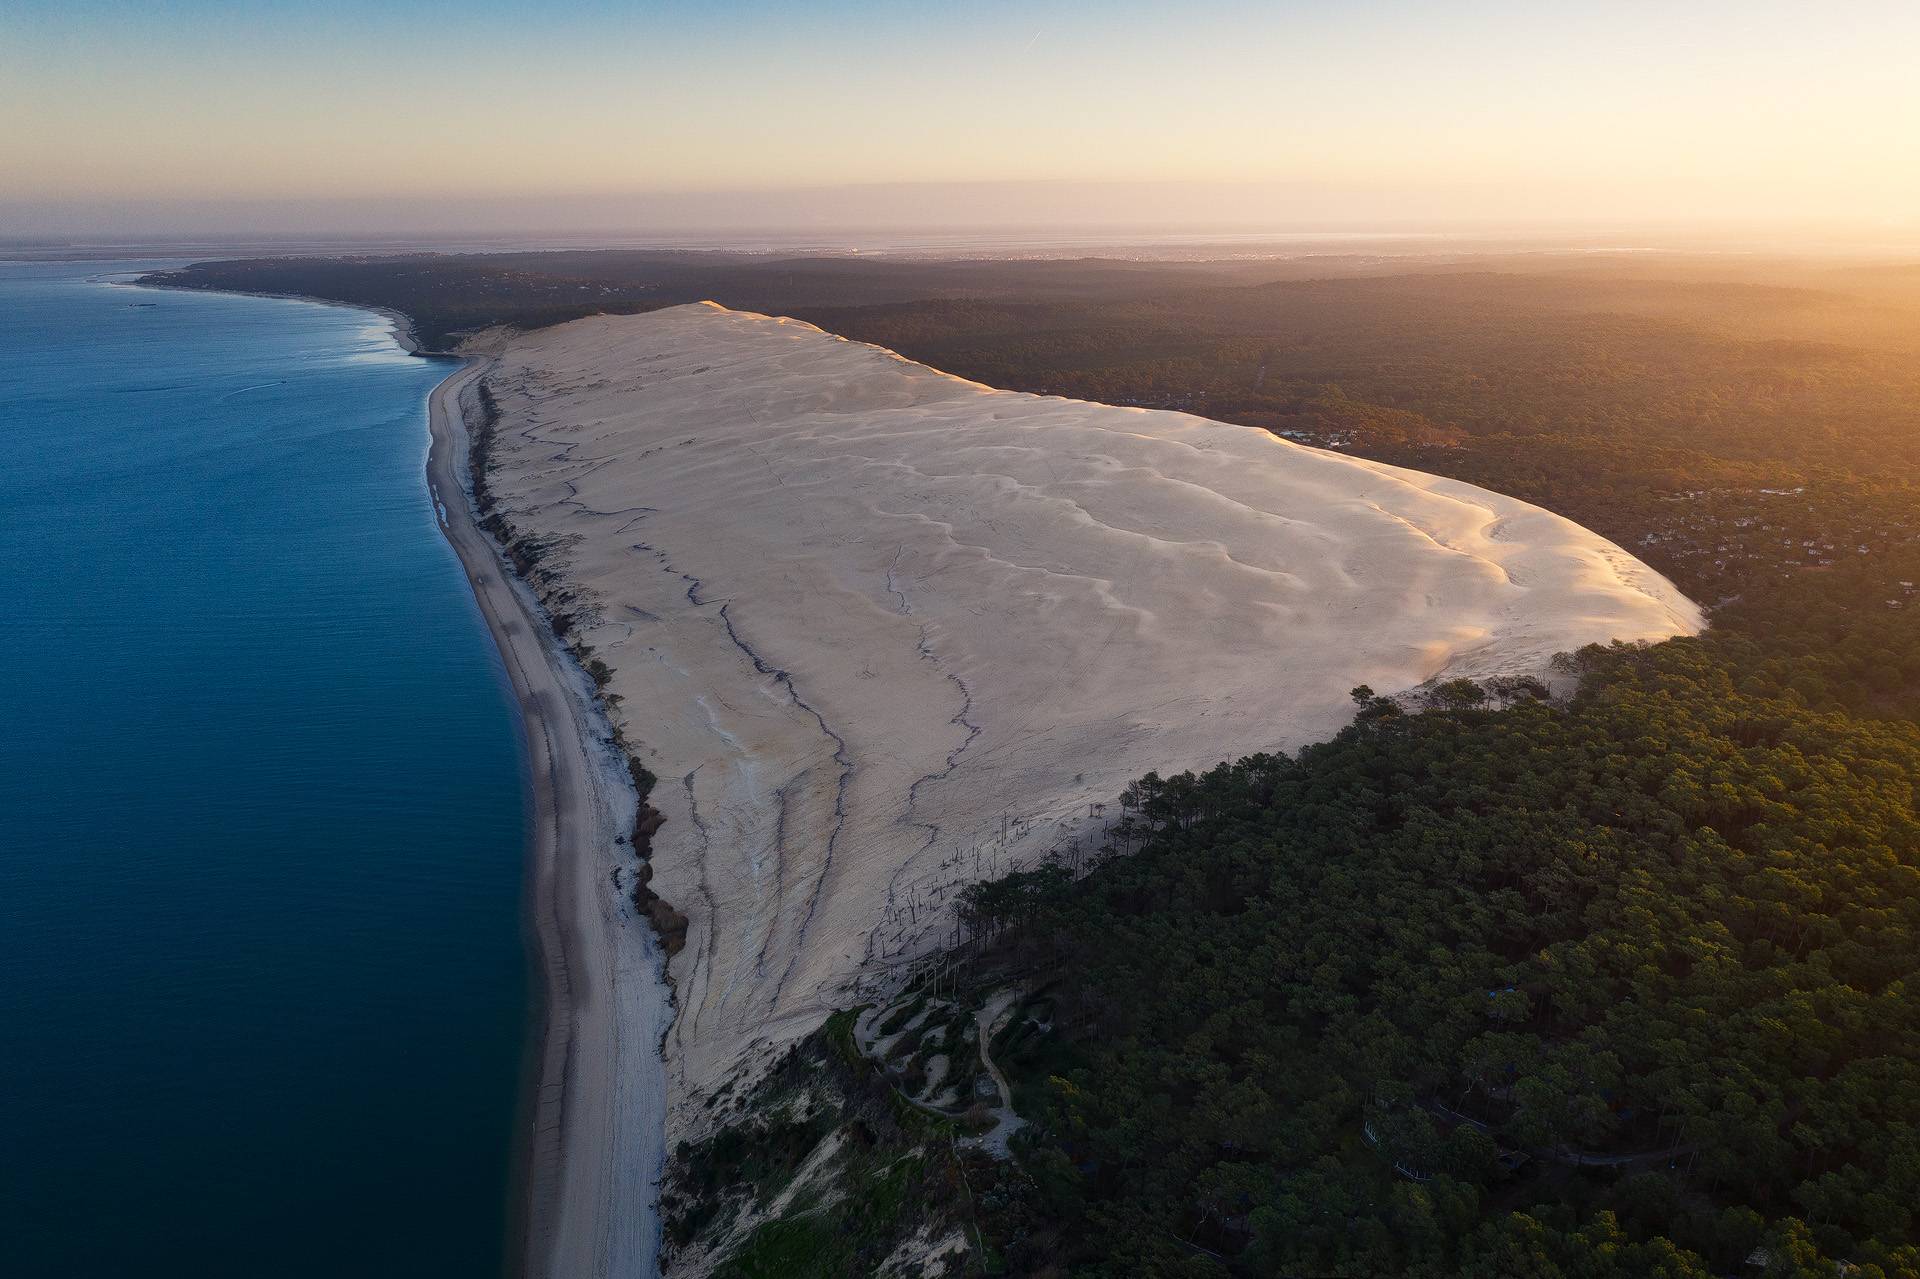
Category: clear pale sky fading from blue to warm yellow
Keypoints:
(429, 116)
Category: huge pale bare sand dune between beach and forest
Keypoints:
(882, 631)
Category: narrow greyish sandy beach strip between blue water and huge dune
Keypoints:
(594, 1142)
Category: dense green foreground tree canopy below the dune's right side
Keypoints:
(1618, 986)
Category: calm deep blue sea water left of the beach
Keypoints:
(262, 961)
